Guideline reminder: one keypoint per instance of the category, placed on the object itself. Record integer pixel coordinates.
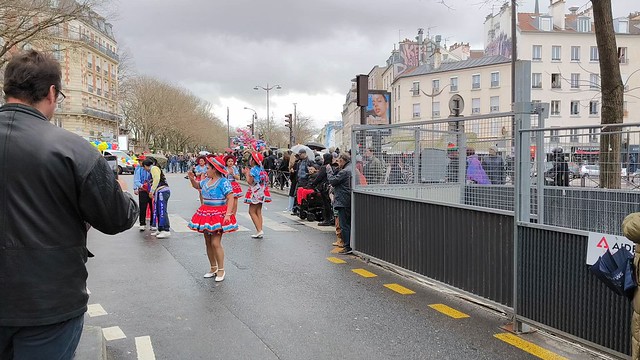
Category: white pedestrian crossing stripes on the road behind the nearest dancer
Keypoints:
(278, 222)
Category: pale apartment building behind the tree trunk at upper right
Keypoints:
(565, 68)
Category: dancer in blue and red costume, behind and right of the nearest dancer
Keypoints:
(258, 192)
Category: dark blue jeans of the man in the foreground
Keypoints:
(48, 342)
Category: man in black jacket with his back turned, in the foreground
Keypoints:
(53, 186)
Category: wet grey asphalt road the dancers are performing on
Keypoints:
(281, 299)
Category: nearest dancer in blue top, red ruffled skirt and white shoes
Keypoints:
(214, 217)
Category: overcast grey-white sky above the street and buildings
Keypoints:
(221, 50)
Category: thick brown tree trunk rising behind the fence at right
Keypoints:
(612, 90)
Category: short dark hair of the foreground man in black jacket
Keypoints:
(29, 76)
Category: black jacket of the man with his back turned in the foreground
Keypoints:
(52, 184)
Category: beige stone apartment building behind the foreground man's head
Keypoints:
(87, 51)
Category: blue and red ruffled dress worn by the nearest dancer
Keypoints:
(209, 217)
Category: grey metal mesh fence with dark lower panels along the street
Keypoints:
(524, 206)
